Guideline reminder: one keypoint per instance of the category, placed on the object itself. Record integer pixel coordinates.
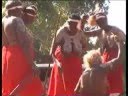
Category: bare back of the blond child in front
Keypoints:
(97, 81)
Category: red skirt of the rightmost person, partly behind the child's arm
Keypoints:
(115, 77)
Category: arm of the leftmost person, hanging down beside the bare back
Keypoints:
(22, 38)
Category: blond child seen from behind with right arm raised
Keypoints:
(93, 81)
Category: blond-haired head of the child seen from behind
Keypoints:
(92, 57)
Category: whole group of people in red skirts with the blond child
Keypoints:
(103, 73)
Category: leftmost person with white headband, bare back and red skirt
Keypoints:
(19, 74)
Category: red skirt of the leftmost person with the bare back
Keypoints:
(14, 68)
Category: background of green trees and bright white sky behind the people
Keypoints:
(52, 14)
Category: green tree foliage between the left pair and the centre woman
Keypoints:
(52, 15)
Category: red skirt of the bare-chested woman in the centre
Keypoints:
(72, 70)
